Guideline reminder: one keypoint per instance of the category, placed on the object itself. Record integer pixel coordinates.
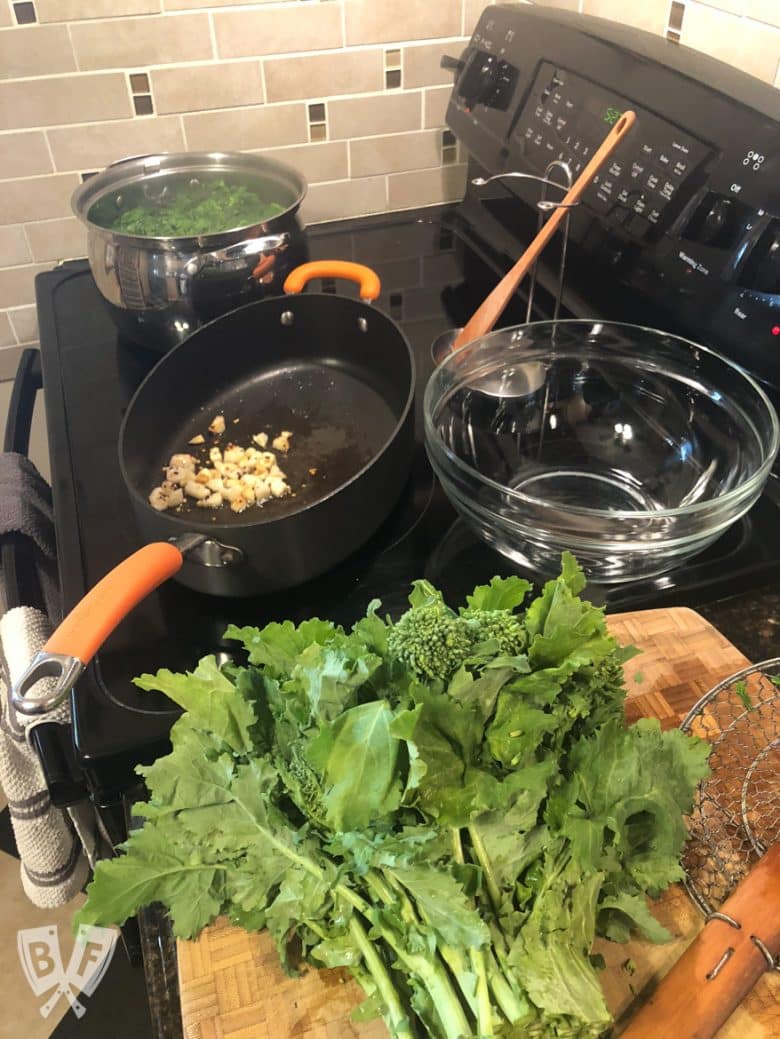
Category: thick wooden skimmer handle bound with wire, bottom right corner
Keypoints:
(722, 966)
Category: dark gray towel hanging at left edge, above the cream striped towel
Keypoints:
(26, 509)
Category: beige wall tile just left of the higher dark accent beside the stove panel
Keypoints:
(324, 75)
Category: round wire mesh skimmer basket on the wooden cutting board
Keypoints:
(737, 813)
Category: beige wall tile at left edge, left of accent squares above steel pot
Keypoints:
(64, 99)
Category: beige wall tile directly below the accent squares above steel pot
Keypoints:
(97, 146)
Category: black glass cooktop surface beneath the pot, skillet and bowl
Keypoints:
(432, 282)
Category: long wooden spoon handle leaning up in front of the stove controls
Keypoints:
(486, 317)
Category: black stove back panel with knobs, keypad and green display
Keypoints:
(683, 228)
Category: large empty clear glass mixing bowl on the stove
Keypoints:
(630, 447)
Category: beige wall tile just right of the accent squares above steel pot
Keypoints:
(201, 88)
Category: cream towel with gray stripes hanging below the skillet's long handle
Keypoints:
(56, 845)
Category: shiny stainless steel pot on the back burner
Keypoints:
(159, 290)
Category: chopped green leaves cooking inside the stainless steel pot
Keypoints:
(198, 209)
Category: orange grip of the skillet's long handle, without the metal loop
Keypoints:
(90, 624)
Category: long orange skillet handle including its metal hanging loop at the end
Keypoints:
(90, 624)
